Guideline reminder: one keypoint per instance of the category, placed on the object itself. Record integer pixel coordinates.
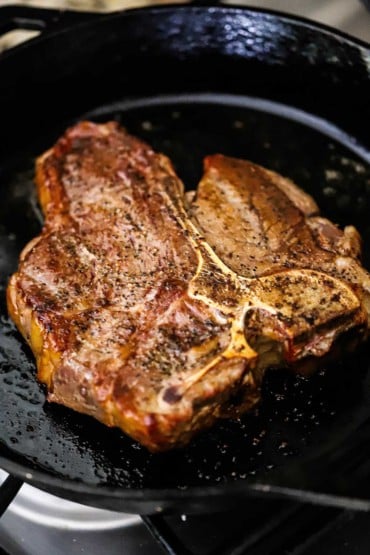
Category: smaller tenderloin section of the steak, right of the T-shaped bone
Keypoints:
(260, 223)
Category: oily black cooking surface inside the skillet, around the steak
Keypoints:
(299, 420)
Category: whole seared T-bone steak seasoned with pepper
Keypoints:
(159, 312)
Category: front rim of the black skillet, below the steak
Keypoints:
(164, 500)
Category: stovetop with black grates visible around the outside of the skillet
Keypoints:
(37, 523)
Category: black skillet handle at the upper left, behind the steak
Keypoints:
(39, 19)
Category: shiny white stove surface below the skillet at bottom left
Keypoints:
(37, 523)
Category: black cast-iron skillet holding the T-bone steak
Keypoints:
(192, 81)
